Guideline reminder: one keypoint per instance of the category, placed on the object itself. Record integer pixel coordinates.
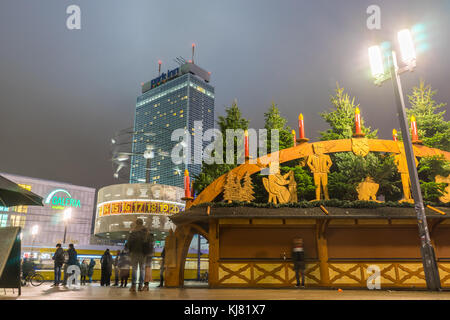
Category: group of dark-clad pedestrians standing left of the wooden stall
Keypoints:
(136, 255)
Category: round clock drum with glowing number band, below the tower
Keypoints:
(118, 207)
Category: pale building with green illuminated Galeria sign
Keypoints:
(57, 196)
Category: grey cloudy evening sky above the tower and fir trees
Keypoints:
(64, 93)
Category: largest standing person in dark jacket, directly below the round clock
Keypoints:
(135, 244)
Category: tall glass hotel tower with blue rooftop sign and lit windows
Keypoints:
(173, 100)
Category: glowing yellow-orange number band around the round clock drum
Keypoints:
(139, 206)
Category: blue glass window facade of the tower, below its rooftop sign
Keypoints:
(199, 107)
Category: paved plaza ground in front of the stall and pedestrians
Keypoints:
(194, 291)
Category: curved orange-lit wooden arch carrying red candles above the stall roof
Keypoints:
(305, 149)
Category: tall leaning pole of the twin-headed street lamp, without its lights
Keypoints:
(428, 256)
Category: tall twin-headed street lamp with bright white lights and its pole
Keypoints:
(409, 58)
